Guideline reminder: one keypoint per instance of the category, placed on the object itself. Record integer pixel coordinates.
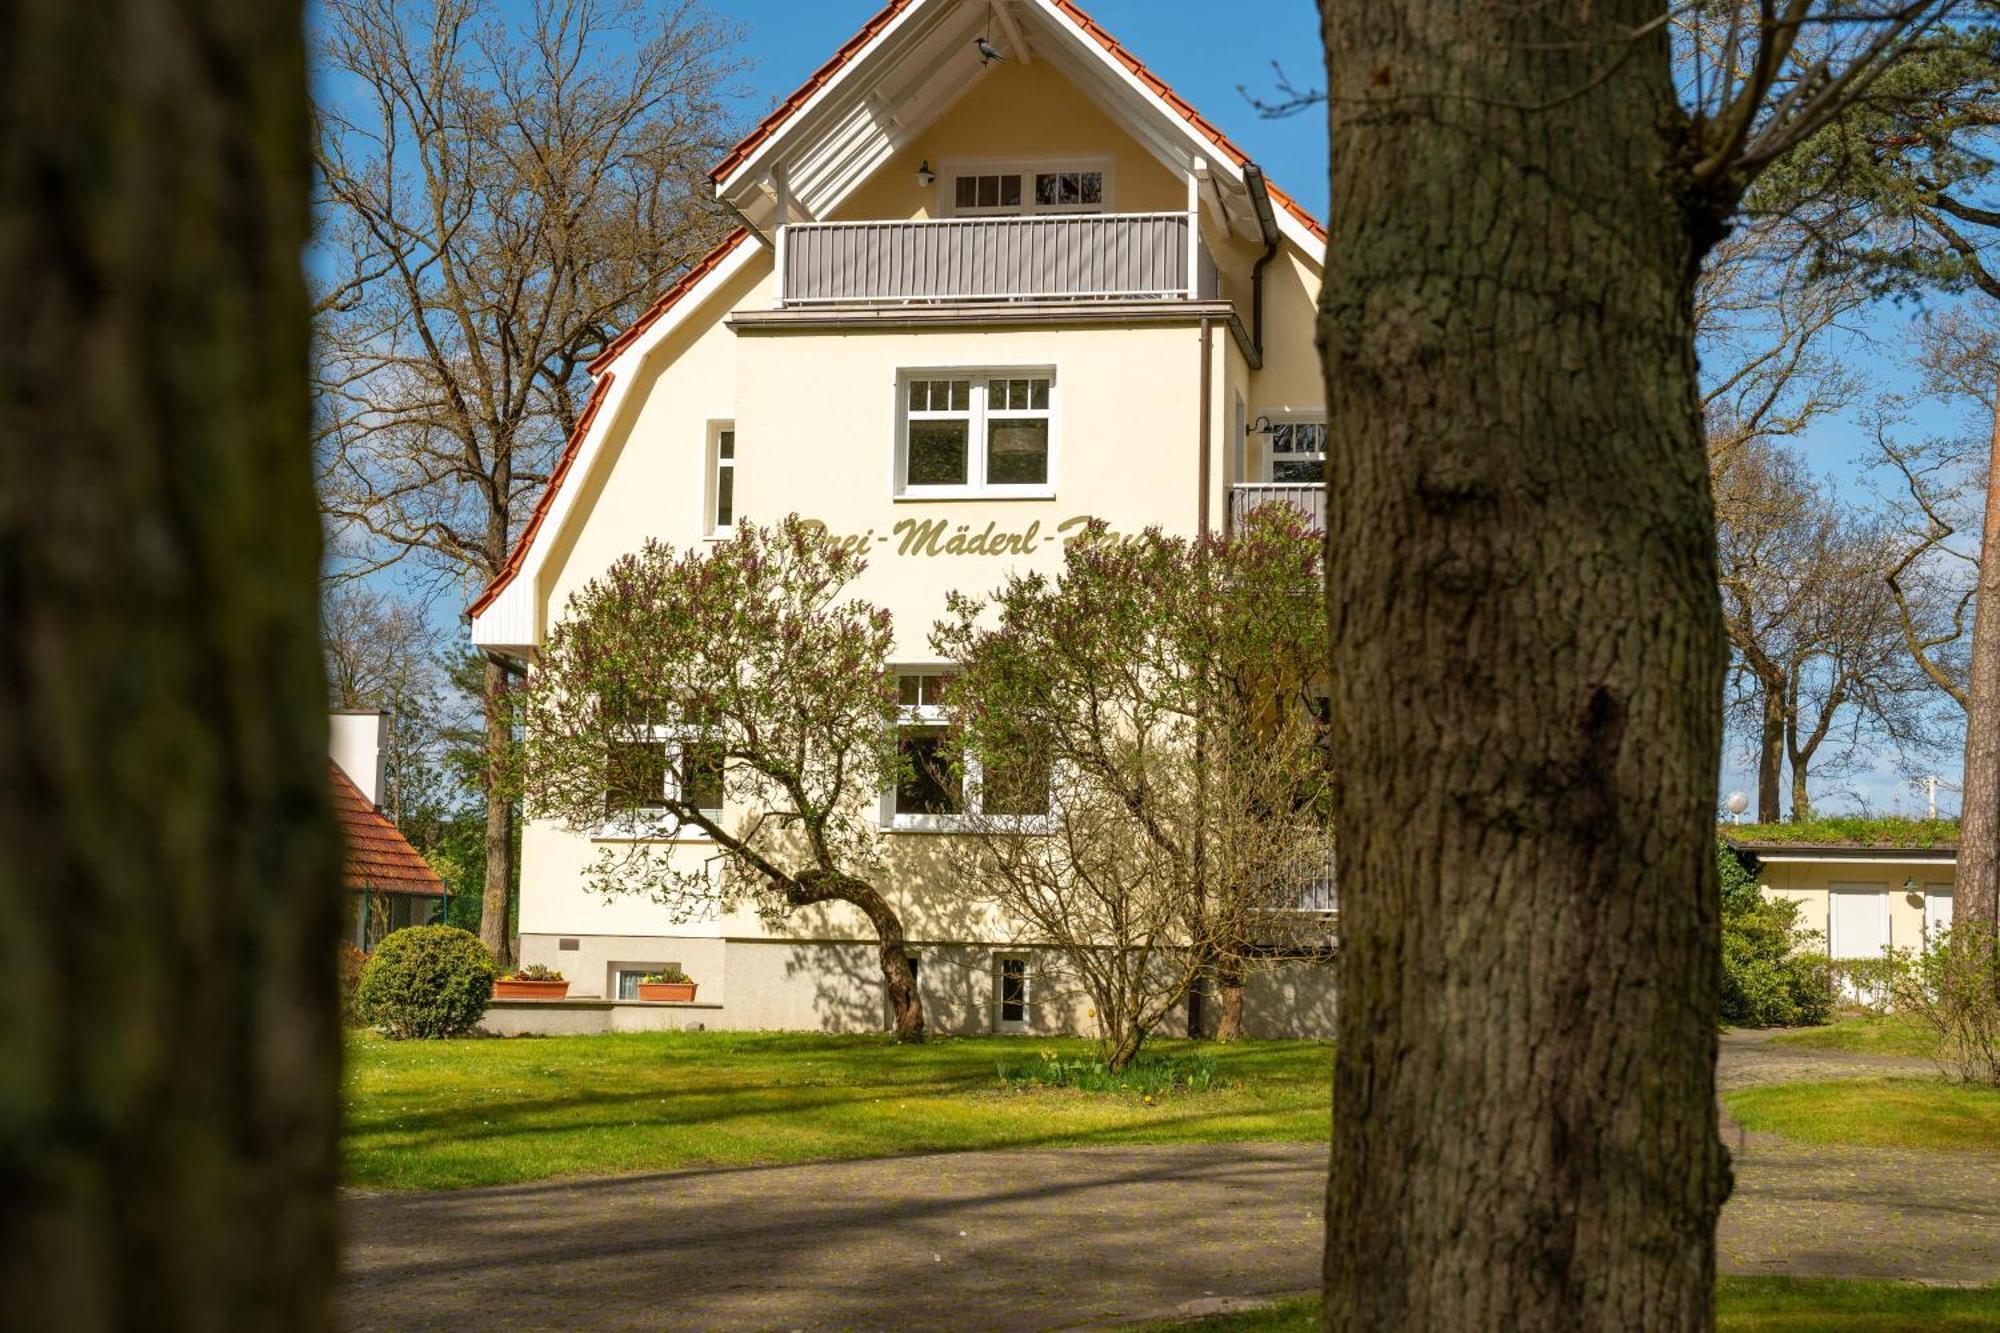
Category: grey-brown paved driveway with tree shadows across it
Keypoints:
(1053, 1238)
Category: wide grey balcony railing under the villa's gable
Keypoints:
(1065, 257)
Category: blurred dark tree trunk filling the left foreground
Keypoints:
(169, 896)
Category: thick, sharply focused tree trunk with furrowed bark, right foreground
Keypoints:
(1527, 678)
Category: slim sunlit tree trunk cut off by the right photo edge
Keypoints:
(1977, 894)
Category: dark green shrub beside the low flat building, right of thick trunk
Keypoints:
(1773, 974)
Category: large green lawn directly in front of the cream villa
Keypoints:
(481, 1112)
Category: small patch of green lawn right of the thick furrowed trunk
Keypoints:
(1909, 1114)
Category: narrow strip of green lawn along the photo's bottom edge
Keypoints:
(1745, 1306)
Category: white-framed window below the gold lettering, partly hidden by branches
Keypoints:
(939, 786)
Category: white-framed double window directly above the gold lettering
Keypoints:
(977, 433)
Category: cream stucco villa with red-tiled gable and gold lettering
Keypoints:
(973, 303)
